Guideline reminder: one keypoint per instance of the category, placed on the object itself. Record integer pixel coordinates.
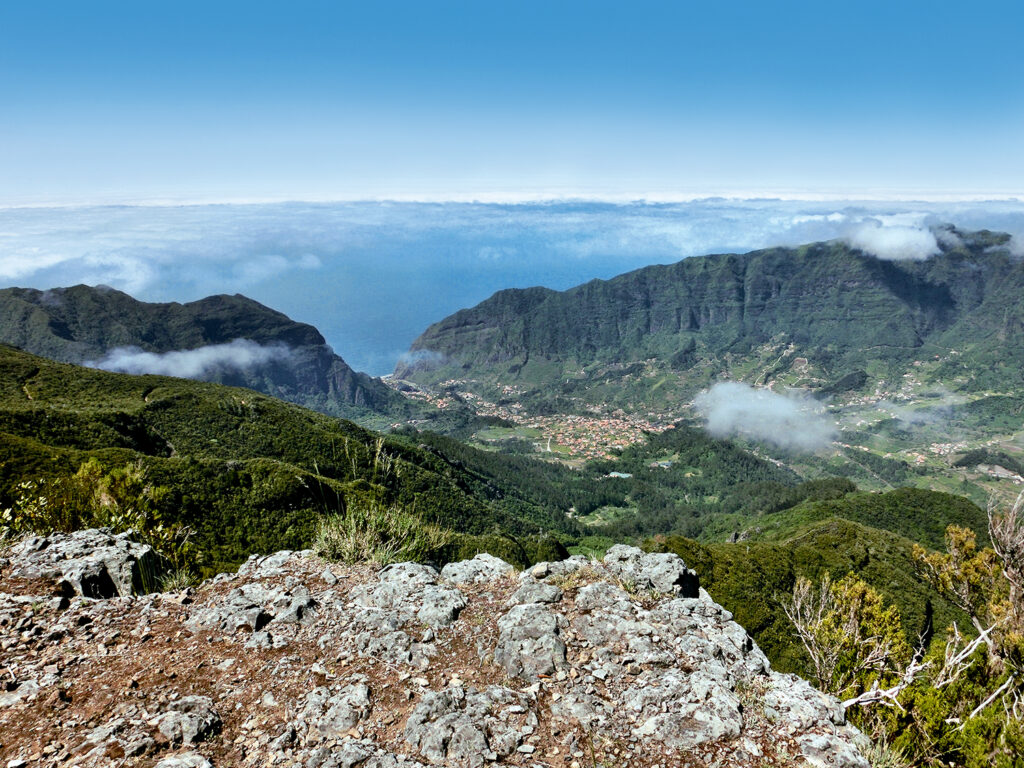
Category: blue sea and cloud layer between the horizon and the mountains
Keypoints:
(373, 276)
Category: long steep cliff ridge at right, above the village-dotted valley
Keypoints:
(839, 308)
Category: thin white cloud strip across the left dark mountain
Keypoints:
(239, 355)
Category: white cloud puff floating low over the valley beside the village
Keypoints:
(792, 422)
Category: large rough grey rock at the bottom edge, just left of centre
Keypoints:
(465, 729)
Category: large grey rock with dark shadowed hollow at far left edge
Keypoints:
(92, 564)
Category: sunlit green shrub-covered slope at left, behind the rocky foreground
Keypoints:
(249, 473)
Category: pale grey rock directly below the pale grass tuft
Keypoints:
(413, 592)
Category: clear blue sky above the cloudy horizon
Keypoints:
(205, 101)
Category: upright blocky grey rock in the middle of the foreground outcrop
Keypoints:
(530, 642)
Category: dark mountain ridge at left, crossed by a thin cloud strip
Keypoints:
(83, 324)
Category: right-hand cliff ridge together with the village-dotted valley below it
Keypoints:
(912, 390)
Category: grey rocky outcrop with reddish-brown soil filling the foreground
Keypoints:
(296, 662)
